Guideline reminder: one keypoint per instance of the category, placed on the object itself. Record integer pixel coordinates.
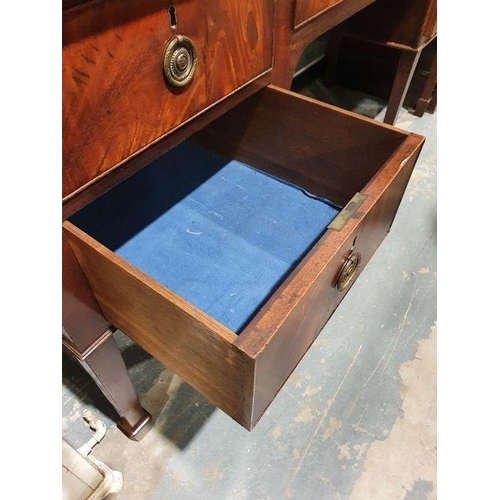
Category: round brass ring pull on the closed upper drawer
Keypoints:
(179, 61)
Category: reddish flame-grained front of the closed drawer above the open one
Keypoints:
(116, 100)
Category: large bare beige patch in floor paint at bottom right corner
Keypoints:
(393, 471)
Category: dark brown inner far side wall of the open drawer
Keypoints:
(329, 152)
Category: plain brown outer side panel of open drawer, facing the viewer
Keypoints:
(186, 340)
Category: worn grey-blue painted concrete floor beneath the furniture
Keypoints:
(357, 419)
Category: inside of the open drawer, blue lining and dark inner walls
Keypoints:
(221, 220)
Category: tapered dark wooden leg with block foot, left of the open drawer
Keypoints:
(88, 336)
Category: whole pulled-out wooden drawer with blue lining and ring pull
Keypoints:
(225, 257)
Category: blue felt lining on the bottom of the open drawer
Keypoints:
(217, 232)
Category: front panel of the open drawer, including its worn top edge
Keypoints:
(294, 316)
